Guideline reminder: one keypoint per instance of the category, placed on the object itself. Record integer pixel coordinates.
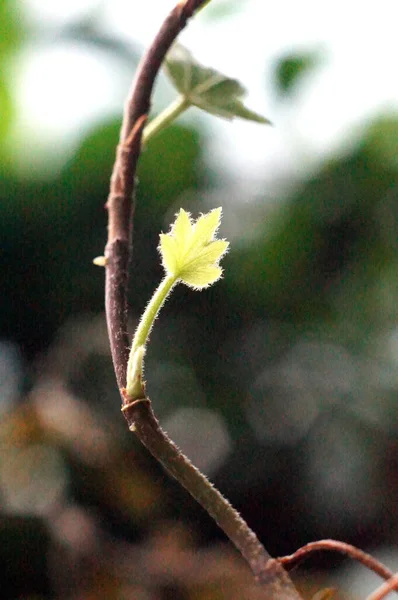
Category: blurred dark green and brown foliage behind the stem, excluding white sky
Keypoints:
(281, 382)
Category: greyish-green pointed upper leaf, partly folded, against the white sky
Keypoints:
(206, 88)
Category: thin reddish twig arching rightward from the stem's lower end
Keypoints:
(367, 560)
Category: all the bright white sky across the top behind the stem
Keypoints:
(355, 81)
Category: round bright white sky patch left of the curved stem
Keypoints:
(66, 85)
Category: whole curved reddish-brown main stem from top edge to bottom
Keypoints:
(139, 414)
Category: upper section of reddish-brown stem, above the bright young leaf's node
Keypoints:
(120, 202)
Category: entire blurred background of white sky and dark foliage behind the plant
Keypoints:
(281, 382)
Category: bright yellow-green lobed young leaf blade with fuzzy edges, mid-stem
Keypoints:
(190, 252)
